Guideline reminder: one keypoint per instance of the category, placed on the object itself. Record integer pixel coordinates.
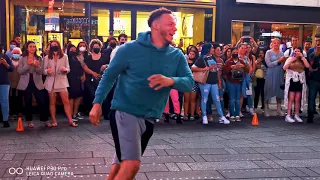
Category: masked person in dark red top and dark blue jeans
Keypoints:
(234, 83)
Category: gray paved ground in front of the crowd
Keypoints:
(274, 150)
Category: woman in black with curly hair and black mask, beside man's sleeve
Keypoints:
(94, 66)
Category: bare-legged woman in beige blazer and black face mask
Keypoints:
(56, 67)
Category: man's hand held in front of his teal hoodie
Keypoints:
(159, 81)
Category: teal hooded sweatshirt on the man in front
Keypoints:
(132, 65)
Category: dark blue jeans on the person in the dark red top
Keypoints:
(234, 98)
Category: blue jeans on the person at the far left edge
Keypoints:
(4, 101)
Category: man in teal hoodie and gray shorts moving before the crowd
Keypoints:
(146, 69)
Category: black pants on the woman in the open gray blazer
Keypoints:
(40, 97)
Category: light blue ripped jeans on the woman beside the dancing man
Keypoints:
(205, 90)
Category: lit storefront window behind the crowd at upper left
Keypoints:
(37, 21)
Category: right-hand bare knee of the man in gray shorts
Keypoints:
(128, 170)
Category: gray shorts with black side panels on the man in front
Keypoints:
(130, 135)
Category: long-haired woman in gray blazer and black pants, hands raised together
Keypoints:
(30, 69)
